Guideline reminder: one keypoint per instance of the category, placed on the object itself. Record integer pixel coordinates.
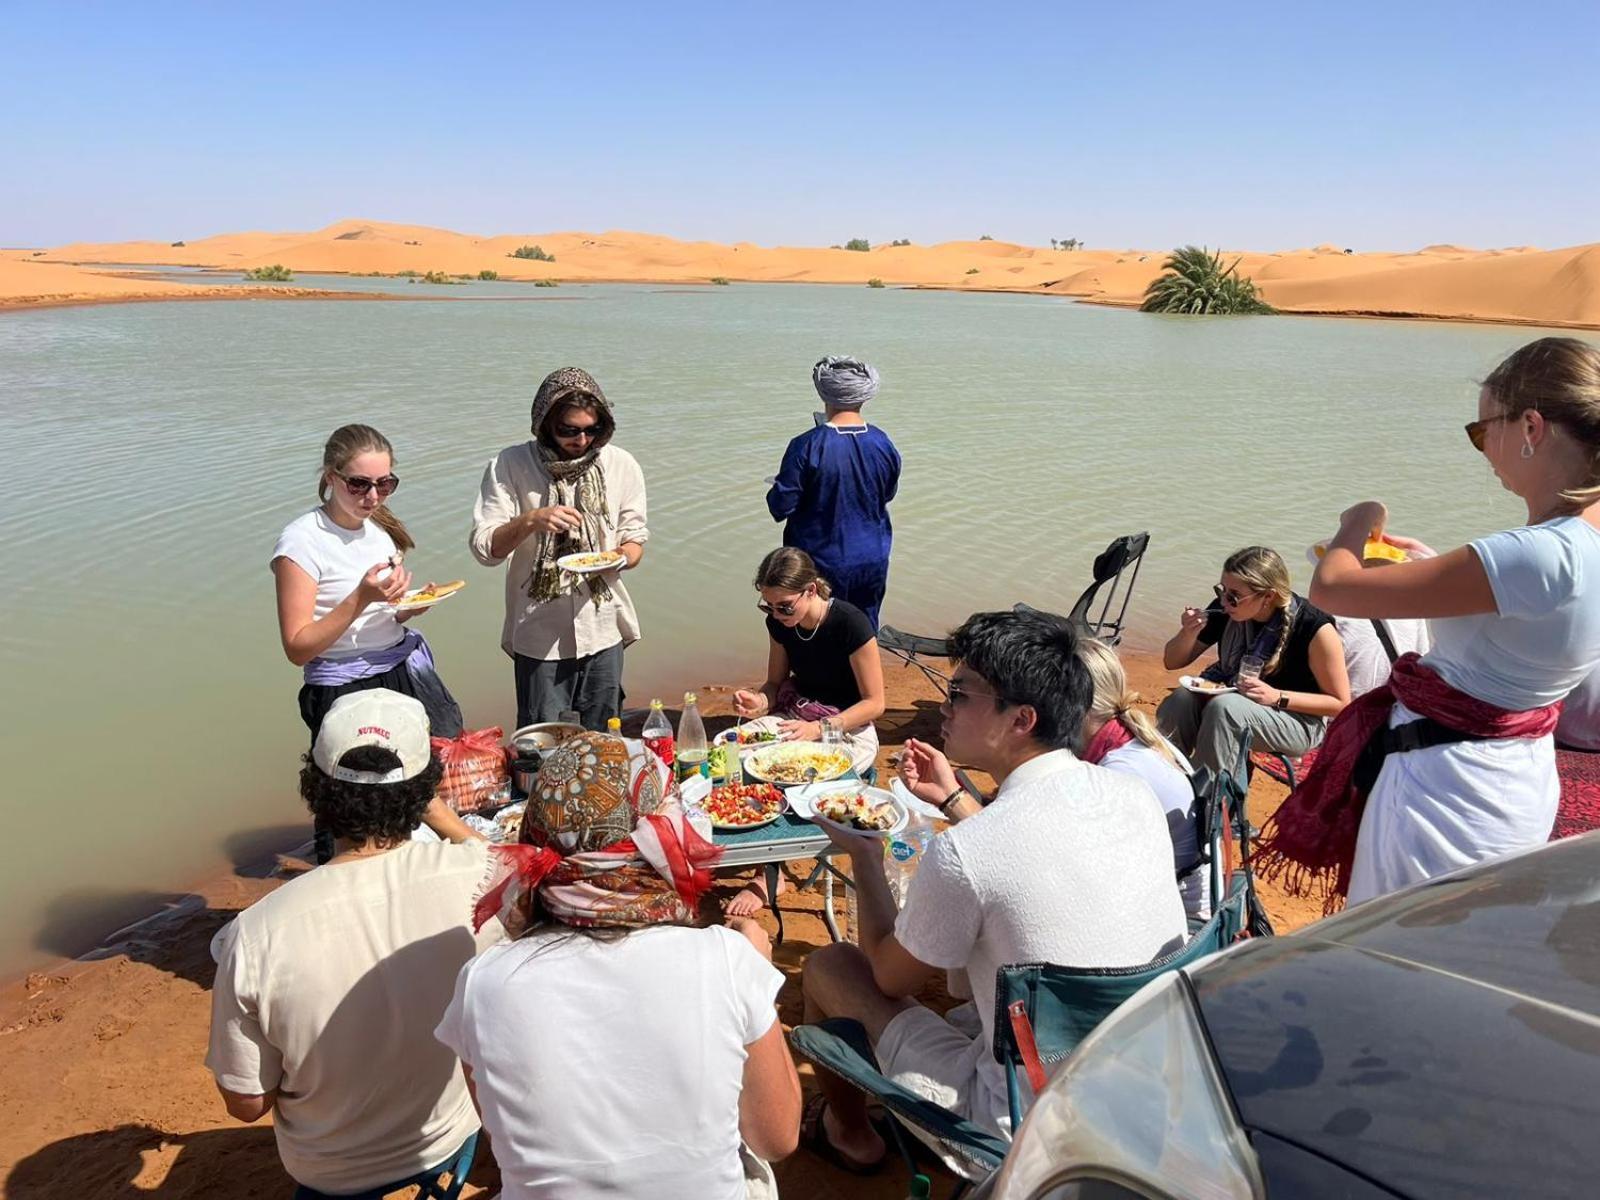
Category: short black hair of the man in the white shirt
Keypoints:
(1030, 658)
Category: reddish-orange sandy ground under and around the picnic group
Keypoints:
(105, 1094)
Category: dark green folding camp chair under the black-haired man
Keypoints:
(1042, 1014)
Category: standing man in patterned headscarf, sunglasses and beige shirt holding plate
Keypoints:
(566, 492)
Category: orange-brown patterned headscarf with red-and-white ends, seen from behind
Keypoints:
(604, 844)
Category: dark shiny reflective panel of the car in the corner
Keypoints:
(1441, 1042)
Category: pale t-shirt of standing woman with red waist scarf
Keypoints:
(1545, 636)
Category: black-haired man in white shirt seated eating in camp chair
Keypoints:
(1070, 865)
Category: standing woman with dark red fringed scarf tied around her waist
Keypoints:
(1454, 762)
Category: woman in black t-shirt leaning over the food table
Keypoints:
(823, 665)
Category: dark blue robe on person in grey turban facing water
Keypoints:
(834, 490)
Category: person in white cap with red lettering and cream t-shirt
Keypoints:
(329, 990)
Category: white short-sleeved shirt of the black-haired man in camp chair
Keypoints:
(1070, 865)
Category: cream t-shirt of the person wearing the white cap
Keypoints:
(329, 990)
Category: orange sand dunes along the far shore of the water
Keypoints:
(1441, 282)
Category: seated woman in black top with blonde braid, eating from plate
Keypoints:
(1303, 681)
